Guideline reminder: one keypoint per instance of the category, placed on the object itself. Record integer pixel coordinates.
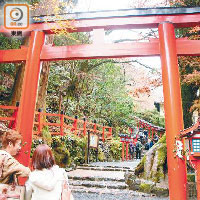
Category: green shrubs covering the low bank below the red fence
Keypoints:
(71, 149)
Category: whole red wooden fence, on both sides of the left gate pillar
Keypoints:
(58, 124)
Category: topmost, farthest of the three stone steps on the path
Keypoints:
(106, 168)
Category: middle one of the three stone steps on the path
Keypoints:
(90, 178)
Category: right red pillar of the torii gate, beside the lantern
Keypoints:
(173, 109)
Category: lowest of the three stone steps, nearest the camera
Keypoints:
(99, 184)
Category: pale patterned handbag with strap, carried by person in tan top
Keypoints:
(12, 191)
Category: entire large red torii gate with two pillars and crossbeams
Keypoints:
(167, 46)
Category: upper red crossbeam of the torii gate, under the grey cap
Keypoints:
(127, 22)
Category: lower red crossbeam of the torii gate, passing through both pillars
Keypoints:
(92, 51)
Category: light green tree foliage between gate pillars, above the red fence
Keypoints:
(94, 89)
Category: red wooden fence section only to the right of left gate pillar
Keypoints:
(74, 126)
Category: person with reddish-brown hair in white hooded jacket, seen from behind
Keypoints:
(46, 180)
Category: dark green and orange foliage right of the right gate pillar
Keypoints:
(189, 69)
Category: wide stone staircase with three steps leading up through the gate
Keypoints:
(101, 178)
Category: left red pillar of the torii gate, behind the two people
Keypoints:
(29, 93)
